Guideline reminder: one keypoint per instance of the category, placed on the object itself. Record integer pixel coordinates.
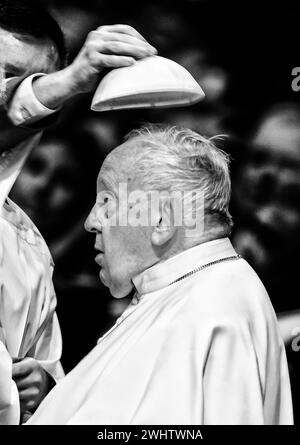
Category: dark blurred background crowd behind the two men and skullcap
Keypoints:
(243, 57)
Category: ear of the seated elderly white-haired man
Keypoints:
(164, 229)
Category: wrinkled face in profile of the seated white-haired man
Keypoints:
(124, 249)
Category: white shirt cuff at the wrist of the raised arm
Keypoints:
(25, 108)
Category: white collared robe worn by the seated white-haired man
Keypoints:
(204, 350)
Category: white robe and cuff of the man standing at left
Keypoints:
(28, 322)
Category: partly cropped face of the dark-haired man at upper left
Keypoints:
(20, 55)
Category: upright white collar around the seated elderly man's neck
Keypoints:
(162, 274)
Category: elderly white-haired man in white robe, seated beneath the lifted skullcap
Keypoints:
(199, 344)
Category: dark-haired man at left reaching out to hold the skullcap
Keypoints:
(34, 84)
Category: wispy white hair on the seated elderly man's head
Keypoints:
(179, 159)
